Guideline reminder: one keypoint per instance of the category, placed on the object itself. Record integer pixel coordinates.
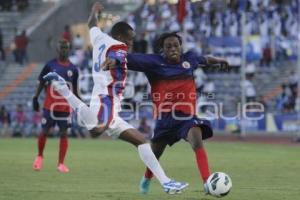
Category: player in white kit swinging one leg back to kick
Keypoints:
(102, 114)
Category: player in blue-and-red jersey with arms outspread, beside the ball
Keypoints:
(174, 96)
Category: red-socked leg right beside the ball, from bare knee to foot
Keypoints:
(195, 139)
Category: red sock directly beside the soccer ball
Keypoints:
(202, 163)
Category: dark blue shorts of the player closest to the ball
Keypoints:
(172, 130)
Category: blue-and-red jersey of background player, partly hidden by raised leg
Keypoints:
(53, 100)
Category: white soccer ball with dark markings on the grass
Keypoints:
(219, 184)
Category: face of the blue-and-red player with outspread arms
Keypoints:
(172, 49)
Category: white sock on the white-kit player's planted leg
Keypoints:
(152, 163)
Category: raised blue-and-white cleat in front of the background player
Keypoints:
(57, 82)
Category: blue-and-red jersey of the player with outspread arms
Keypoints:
(172, 85)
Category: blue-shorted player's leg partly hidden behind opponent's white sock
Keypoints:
(158, 149)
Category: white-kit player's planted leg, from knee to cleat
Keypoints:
(148, 157)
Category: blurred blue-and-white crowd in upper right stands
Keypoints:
(203, 20)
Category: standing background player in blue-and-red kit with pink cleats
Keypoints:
(56, 109)
